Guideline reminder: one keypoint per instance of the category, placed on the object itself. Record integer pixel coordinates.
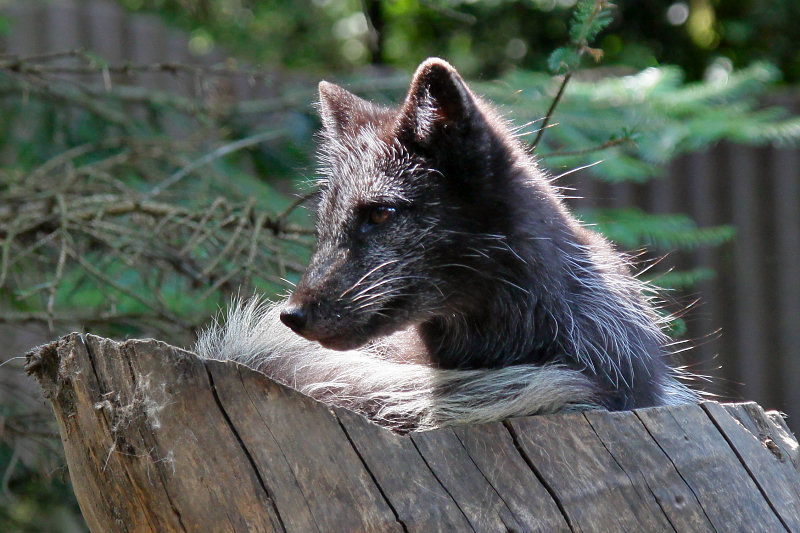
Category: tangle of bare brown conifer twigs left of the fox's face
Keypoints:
(80, 206)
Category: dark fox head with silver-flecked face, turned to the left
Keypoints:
(411, 215)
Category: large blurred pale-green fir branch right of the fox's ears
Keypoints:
(657, 115)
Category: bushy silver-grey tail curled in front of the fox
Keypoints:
(399, 395)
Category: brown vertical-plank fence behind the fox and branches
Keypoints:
(754, 301)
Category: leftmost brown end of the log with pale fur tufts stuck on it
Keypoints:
(140, 458)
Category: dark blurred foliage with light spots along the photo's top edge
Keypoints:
(485, 38)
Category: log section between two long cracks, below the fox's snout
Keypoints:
(306, 437)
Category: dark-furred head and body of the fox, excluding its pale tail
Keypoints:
(441, 244)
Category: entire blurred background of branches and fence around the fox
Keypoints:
(154, 156)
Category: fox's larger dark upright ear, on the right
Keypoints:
(437, 100)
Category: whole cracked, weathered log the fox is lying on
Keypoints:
(157, 439)
